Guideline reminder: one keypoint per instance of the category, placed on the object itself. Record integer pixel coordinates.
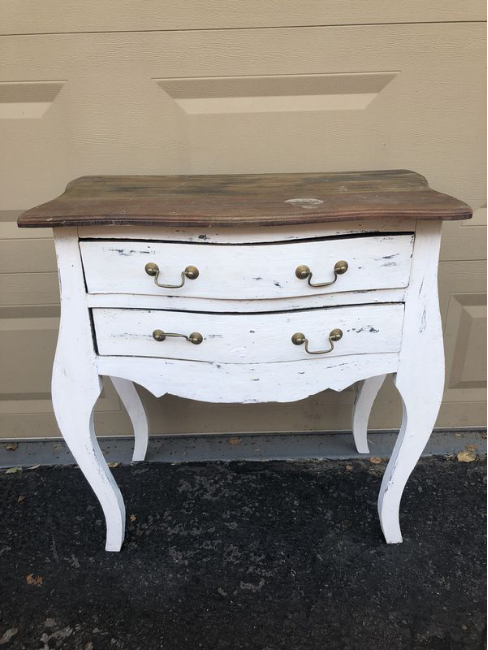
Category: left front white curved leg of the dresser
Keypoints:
(76, 386)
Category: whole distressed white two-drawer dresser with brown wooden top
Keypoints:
(248, 288)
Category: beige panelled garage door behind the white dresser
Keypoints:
(250, 86)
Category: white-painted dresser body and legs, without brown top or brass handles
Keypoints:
(386, 304)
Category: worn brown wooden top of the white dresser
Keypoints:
(244, 200)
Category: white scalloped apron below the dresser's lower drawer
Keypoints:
(247, 383)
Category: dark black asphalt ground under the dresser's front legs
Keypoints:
(244, 555)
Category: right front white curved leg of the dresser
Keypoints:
(420, 377)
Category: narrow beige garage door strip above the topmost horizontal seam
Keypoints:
(32, 16)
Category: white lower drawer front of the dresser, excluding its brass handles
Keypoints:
(248, 338)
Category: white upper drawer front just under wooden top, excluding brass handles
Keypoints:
(248, 272)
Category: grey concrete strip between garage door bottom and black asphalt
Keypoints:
(183, 448)
